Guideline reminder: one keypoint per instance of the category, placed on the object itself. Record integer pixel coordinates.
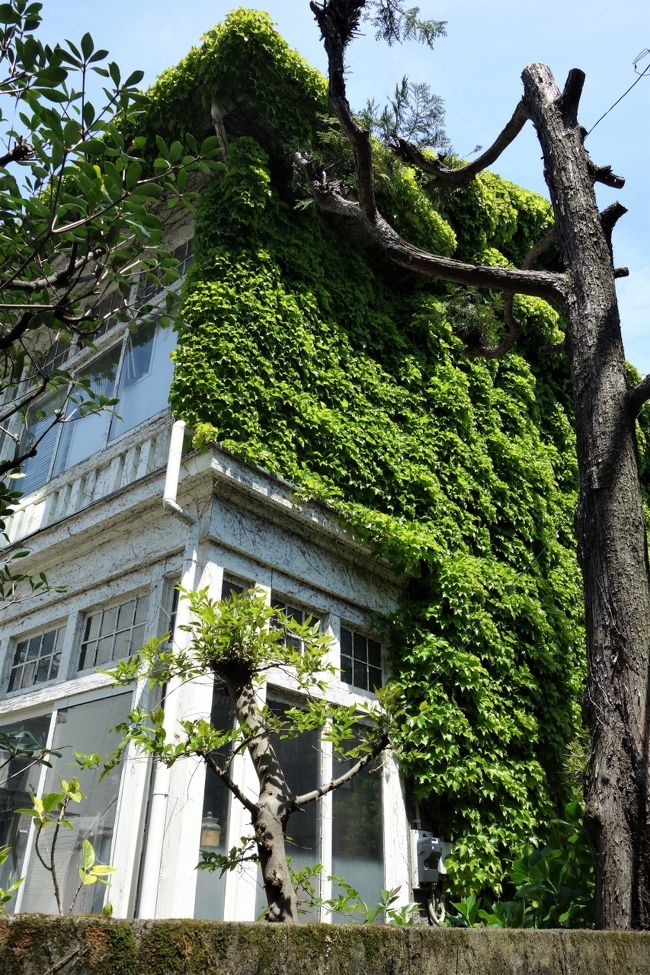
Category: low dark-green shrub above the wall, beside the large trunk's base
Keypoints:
(552, 884)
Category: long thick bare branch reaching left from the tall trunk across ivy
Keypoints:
(328, 196)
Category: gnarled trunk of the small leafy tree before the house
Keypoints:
(273, 806)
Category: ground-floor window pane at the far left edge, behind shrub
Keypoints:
(18, 777)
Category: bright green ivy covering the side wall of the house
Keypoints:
(307, 355)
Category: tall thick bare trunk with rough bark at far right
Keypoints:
(610, 526)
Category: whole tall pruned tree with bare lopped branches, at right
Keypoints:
(609, 525)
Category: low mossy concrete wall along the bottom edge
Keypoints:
(39, 945)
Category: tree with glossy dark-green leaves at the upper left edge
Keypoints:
(80, 221)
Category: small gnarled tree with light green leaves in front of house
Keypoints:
(240, 641)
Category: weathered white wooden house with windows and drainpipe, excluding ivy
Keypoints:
(94, 522)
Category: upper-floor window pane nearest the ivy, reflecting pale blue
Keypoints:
(147, 372)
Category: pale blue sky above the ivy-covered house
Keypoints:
(476, 68)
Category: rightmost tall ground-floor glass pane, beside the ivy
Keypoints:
(357, 834)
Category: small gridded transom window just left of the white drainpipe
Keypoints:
(113, 633)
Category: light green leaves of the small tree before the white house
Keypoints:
(243, 635)
